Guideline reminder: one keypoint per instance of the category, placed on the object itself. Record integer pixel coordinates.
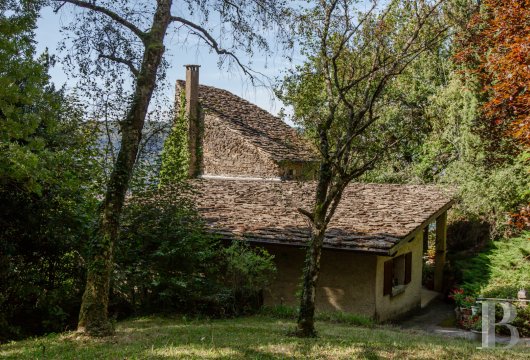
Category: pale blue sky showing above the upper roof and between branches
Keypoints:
(48, 36)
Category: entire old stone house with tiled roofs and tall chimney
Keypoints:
(253, 175)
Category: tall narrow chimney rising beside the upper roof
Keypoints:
(194, 121)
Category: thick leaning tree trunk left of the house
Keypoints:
(93, 317)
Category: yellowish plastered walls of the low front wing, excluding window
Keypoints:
(349, 282)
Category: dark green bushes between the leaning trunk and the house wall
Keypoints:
(165, 261)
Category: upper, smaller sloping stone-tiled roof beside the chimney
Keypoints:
(258, 126)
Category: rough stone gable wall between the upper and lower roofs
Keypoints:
(226, 153)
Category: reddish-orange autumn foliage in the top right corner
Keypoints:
(496, 46)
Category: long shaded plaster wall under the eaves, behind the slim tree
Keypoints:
(346, 280)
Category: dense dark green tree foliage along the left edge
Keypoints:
(46, 199)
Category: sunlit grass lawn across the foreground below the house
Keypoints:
(255, 337)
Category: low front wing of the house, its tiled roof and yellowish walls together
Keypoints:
(372, 254)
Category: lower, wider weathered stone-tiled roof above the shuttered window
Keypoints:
(370, 218)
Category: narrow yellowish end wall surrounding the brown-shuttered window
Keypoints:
(388, 306)
